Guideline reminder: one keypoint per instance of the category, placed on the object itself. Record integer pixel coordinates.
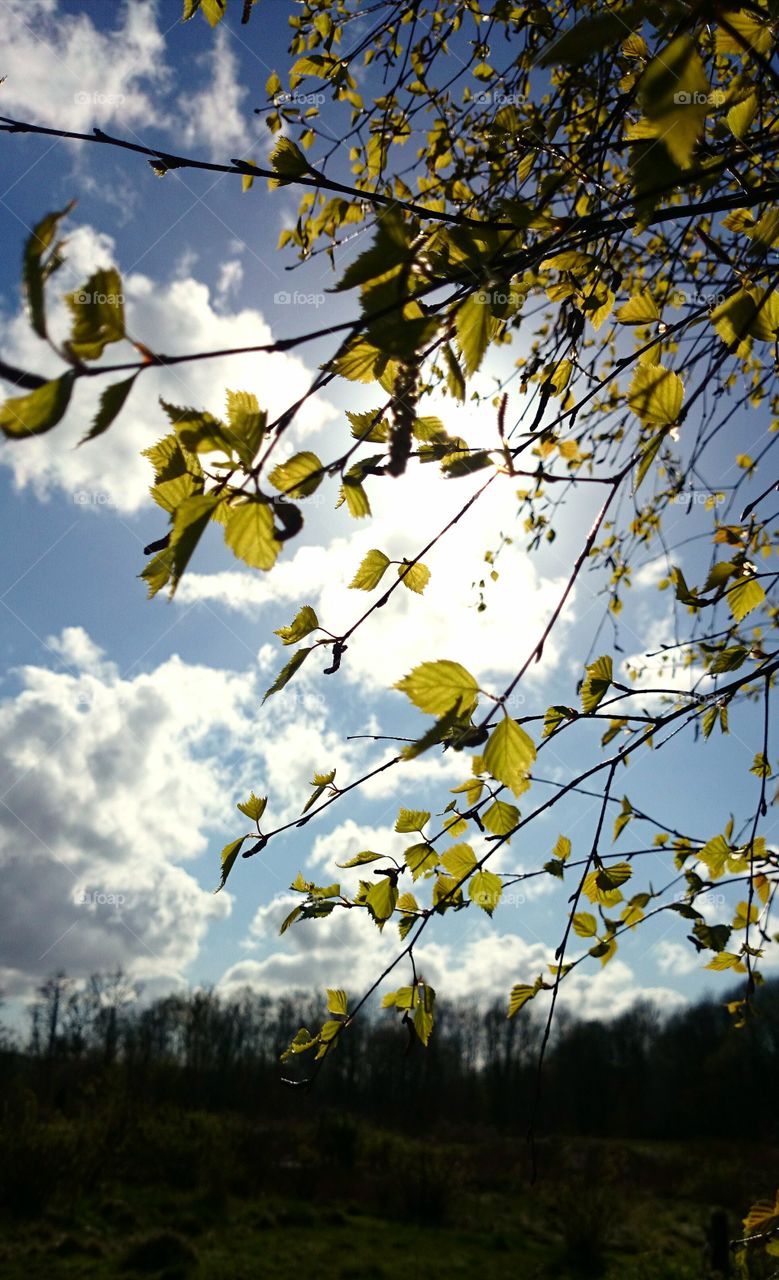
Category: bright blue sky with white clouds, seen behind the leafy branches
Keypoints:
(130, 729)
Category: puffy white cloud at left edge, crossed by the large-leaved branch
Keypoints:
(109, 472)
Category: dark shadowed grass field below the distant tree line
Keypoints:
(200, 1196)
